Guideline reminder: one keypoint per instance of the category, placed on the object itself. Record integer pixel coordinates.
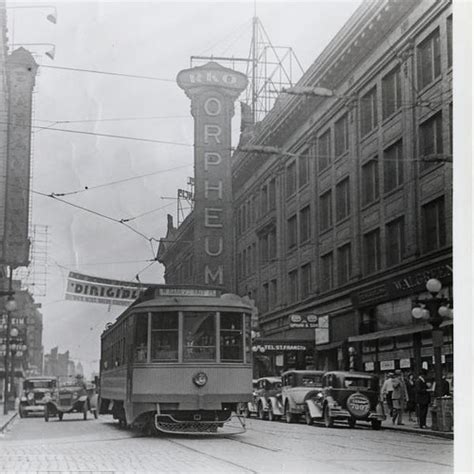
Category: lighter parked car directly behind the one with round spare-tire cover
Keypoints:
(297, 387)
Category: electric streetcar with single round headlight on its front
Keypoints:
(178, 360)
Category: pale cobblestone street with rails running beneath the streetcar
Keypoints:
(31, 445)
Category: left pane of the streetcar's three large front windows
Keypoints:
(164, 336)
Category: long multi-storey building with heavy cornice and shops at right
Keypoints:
(343, 230)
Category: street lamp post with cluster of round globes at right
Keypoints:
(434, 310)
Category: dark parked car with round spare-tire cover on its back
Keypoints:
(350, 396)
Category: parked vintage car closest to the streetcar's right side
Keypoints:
(267, 399)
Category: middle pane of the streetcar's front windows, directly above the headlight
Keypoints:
(199, 335)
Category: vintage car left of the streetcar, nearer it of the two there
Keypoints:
(68, 398)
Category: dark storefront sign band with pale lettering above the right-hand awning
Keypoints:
(407, 284)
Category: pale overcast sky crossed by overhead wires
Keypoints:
(148, 39)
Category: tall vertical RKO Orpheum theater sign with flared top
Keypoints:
(213, 90)
